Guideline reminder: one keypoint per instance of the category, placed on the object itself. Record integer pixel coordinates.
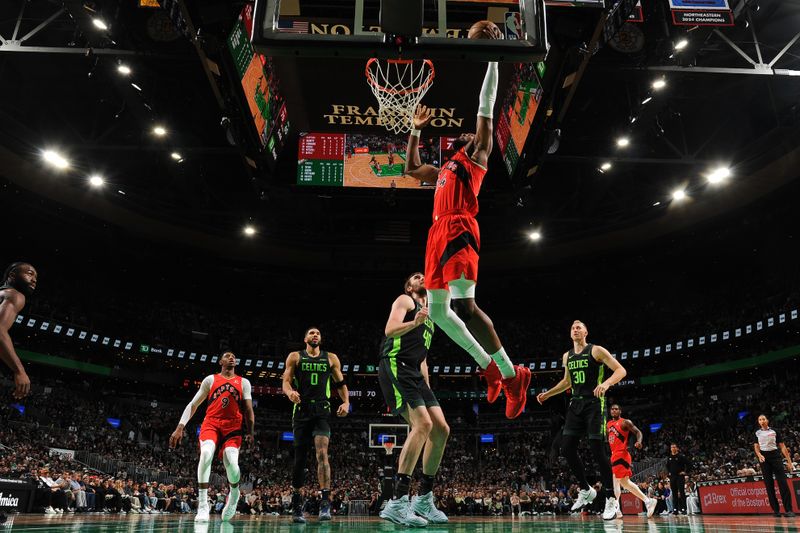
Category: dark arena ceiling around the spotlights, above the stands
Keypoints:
(62, 89)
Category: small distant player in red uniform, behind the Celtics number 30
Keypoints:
(619, 430)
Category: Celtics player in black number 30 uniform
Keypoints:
(584, 369)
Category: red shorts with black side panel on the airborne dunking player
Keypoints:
(452, 250)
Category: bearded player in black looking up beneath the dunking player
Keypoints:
(403, 376)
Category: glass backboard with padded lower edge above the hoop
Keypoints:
(353, 29)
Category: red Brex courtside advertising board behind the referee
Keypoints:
(745, 497)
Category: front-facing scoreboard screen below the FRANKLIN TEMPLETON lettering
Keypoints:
(363, 159)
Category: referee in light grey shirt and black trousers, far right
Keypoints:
(767, 443)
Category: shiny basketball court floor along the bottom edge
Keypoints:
(185, 524)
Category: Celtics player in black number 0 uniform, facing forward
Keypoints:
(307, 382)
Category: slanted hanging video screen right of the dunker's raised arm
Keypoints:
(519, 109)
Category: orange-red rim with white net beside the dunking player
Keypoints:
(399, 86)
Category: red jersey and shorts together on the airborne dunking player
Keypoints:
(454, 238)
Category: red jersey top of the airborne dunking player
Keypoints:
(458, 186)
